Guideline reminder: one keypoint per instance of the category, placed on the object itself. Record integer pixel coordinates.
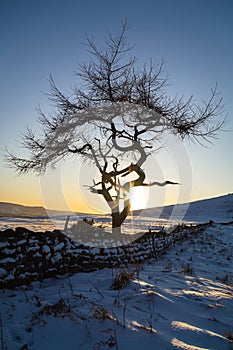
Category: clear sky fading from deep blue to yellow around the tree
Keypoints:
(41, 37)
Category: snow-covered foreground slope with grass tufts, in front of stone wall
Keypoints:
(184, 300)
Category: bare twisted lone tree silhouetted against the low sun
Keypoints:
(115, 119)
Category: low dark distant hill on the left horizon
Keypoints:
(17, 210)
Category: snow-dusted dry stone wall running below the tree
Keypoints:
(27, 256)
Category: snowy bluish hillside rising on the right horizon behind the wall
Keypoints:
(217, 209)
